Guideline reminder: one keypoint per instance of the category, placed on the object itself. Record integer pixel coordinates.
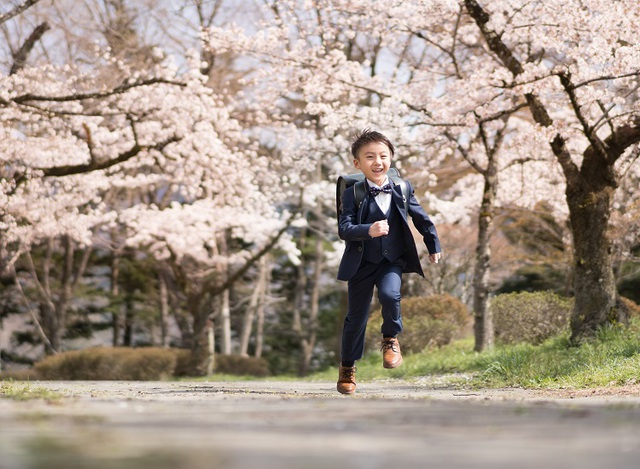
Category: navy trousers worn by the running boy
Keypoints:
(387, 278)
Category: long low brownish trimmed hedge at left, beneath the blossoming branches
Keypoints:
(103, 363)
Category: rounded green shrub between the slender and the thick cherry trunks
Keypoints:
(530, 317)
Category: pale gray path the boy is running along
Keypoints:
(305, 425)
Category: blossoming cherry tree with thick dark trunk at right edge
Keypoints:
(582, 91)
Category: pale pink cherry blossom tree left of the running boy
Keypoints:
(81, 147)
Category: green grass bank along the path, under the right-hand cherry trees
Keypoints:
(612, 358)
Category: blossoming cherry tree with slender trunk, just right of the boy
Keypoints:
(330, 65)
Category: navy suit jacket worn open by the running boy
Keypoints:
(355, 233)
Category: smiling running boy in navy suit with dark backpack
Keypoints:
(379, 248)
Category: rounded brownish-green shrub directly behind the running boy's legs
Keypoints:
(431, 321)
